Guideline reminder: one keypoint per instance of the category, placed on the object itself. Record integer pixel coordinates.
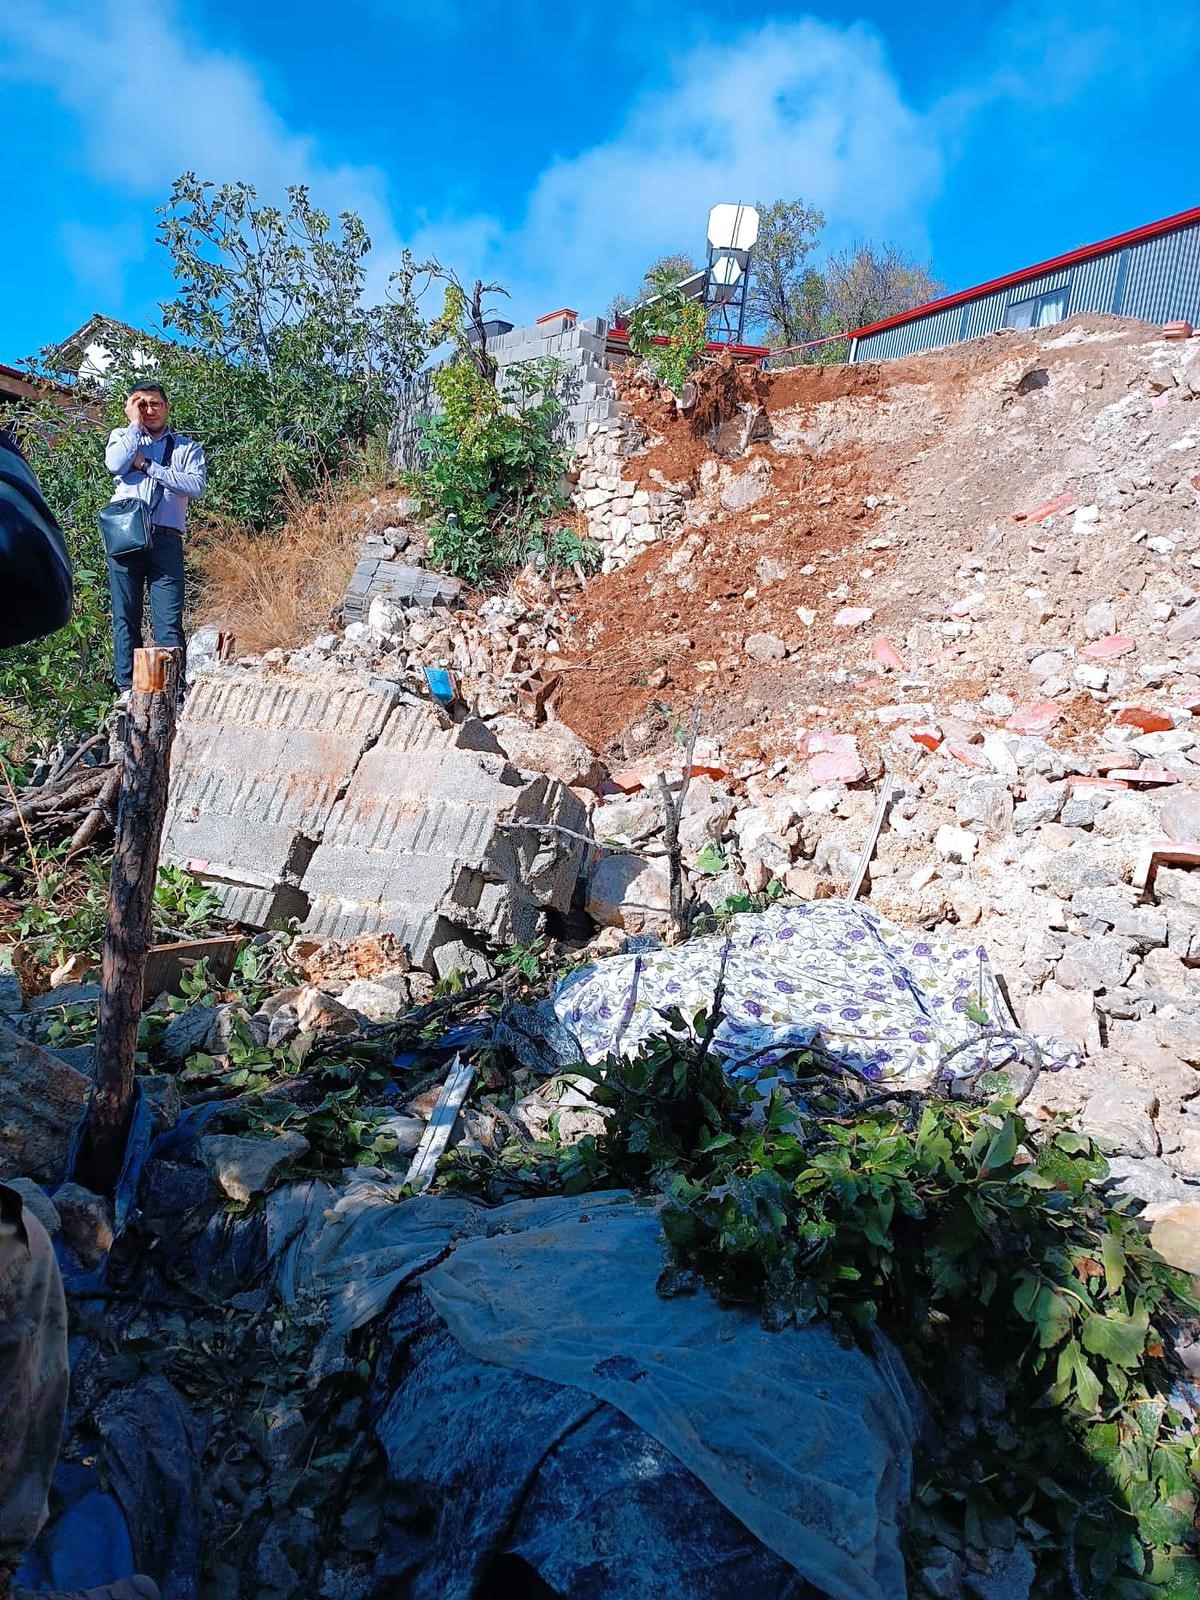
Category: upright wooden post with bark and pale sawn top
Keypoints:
(127, 937)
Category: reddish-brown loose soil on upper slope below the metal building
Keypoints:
(890, 486)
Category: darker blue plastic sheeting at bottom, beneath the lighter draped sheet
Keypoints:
(508, 1487)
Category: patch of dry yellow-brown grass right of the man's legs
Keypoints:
(279, 590)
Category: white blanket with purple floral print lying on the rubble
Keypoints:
(886, 1002)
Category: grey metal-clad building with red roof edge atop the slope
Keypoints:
(1151, 273)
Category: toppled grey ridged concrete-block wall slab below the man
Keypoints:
(345, 802)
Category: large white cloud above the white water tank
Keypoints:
(801, 110)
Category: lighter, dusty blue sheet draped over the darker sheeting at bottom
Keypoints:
(804, 1441)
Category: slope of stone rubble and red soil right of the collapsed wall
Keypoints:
(882, 570)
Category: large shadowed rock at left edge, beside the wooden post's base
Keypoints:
(42, 1102)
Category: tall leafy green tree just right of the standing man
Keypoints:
(284, 369)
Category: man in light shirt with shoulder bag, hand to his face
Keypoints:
(164, 470)
